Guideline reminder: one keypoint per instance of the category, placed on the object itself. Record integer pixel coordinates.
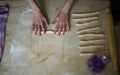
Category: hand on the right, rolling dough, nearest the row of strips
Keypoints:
(62, 23)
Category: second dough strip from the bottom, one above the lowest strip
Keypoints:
(93, 48)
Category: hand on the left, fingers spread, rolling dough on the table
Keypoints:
(39, 23)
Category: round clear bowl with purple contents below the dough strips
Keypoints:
(96, 63)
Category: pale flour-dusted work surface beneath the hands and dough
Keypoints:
(27, 54)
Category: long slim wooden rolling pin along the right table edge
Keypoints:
(112, 41)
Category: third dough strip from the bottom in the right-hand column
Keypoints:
(93, 42)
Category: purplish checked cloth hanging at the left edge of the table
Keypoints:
(3, 22)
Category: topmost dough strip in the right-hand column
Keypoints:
(85, 14)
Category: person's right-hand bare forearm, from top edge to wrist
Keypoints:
(67, 6)
